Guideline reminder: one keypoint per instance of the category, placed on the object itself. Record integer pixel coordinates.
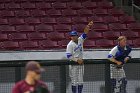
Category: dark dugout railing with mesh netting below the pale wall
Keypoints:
(97, 75)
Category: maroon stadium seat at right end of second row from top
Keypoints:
(116, 12)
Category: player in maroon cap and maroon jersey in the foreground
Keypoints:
(31, 83)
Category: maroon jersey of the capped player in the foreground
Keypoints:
(24, 87)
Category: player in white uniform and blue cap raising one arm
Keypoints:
(74, 53)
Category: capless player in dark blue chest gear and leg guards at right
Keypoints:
(119, 55)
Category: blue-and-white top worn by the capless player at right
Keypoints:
(120, 53)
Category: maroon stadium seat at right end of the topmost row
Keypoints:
(105, 4)
